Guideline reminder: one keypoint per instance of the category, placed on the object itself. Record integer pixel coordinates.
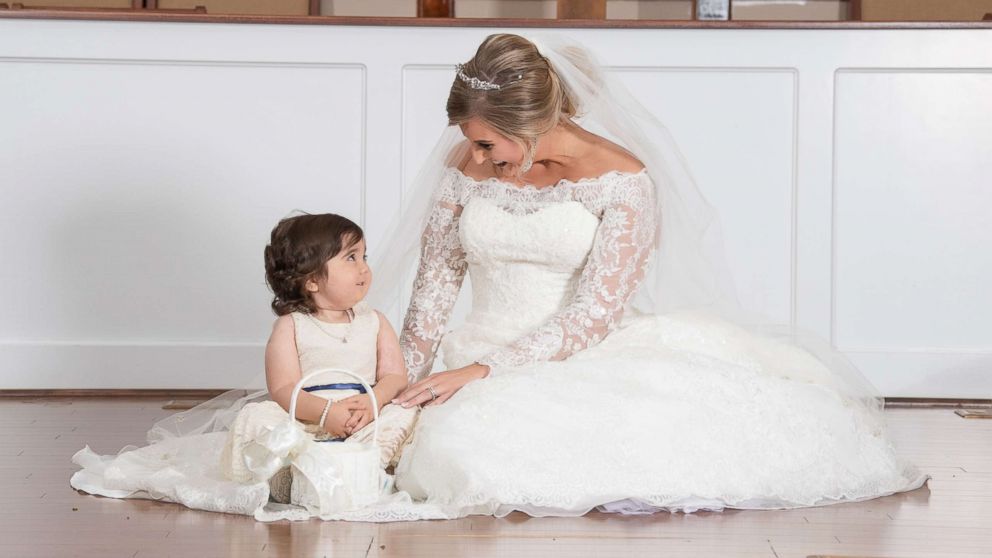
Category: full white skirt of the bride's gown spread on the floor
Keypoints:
(677, 413)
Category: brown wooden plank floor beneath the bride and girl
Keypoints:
(43, 516)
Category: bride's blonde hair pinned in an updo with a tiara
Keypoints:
(531, 99)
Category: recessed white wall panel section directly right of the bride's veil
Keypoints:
(710, 123)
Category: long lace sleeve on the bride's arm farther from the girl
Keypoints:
(616, 264)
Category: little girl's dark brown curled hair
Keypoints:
(299, 248)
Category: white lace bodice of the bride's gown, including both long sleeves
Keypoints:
(552, 268)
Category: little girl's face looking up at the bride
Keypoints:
(346, 281)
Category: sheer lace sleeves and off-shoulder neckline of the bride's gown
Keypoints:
(624, 204)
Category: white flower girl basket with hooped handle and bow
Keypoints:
(342, 476)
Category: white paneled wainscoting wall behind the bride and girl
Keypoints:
(142, 166)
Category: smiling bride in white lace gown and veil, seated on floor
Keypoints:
(605, 362)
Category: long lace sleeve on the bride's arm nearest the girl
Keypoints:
(439, 278)
